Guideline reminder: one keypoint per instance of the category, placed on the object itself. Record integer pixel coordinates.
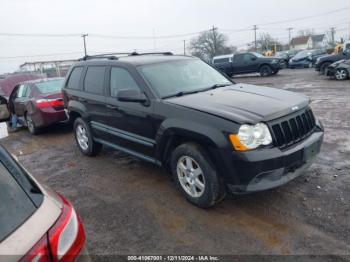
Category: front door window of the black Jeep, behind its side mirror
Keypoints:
(121, 79)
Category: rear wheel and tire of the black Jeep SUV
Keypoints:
(84, 139)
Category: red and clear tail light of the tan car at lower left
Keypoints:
(64, 240)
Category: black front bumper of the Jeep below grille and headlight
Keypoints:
(267, 168)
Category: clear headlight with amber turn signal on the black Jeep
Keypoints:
(251, 137)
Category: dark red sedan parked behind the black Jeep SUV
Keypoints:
(37, 103)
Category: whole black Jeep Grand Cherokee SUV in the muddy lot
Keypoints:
(179, 112)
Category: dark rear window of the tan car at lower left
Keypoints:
(15, 205)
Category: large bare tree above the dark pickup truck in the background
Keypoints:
(209, 44)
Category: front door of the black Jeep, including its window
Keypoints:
(130, 123)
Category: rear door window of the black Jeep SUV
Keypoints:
(94, 79)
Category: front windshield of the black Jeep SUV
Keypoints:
(182, 76)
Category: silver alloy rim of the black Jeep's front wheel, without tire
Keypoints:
(190, 176)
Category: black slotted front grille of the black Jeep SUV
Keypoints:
(292, 129)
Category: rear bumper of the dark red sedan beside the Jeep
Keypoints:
(43, 118)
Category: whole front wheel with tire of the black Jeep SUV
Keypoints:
(195, 175)
